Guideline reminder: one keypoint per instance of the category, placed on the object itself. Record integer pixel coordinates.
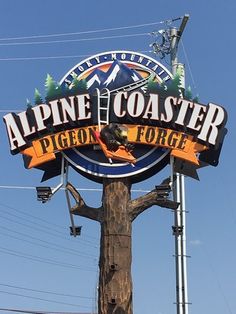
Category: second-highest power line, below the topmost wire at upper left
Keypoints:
(74, 40)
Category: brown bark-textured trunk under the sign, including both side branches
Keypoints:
(115, 216)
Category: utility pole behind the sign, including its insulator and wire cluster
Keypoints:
(168, 45)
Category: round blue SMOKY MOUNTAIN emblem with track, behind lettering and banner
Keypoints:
(107, 74)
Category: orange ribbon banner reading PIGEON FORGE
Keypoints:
(181, 144)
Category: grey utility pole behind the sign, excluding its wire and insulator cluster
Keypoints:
(179, 228)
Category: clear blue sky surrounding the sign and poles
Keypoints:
(36, 251)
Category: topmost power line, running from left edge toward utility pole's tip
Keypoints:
(90, 31)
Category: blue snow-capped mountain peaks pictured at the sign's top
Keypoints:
(118, 75)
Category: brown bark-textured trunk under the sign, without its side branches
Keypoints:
(115, 282)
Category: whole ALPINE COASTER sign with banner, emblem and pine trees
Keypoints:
(116, 114)
